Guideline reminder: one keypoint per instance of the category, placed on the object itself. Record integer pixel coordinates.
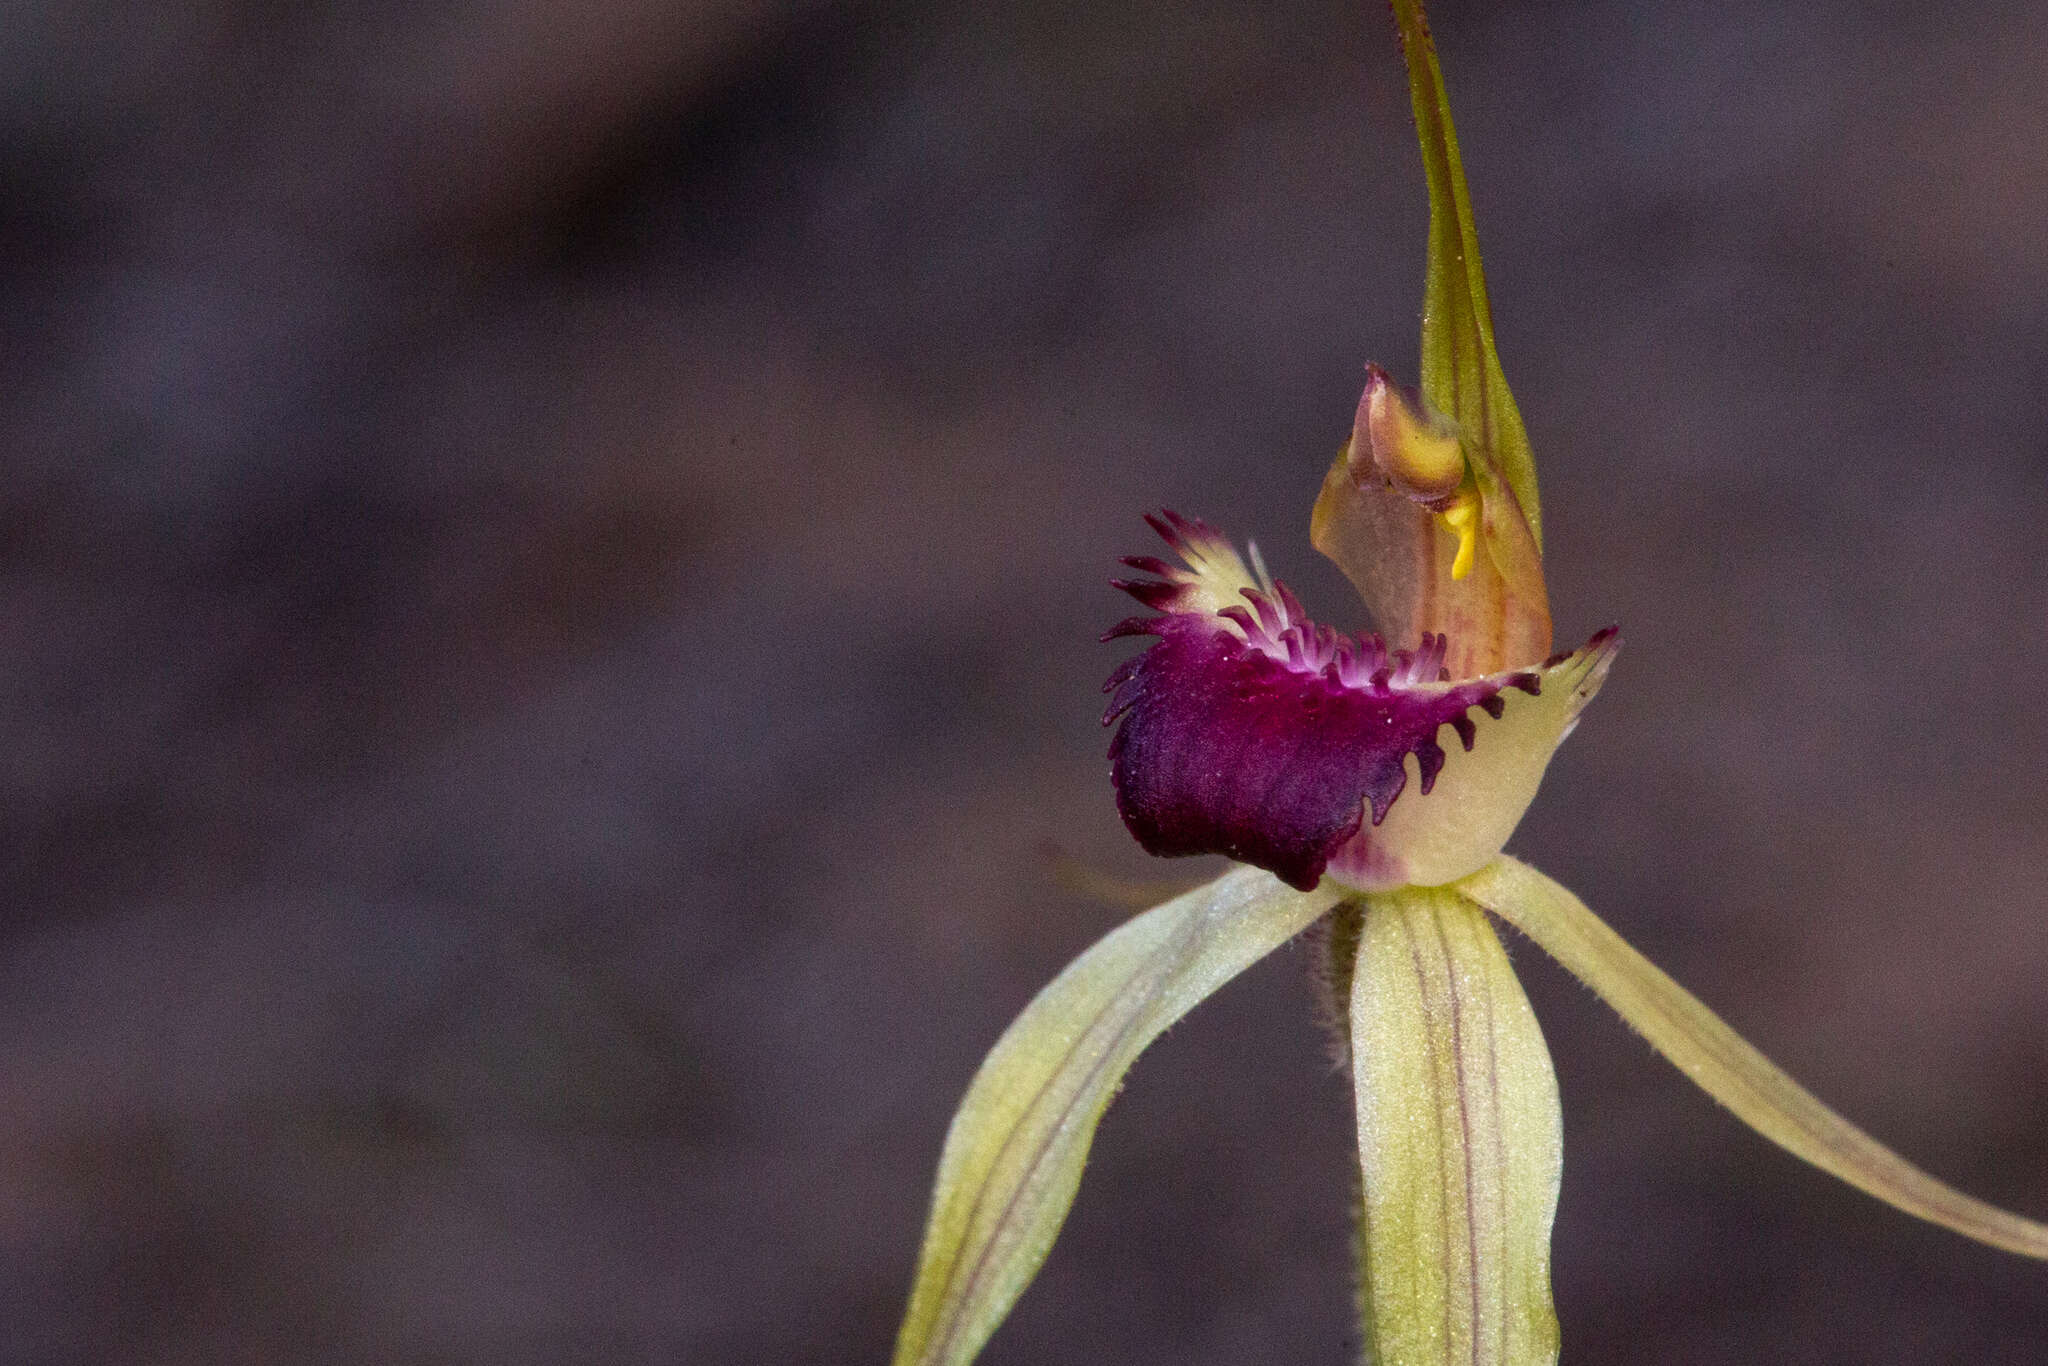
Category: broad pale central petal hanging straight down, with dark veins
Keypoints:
(1459, 1140)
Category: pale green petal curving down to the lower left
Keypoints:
(1017, 1148)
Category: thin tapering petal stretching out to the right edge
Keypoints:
(1725, 1066)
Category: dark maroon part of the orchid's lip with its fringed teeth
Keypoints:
(1258, 734)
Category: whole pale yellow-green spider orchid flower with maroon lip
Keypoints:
(1314, 759)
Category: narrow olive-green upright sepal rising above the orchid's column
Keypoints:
(1461, 372)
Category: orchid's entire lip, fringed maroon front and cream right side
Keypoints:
(1248, 730)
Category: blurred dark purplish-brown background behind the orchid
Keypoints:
(550, 577)
